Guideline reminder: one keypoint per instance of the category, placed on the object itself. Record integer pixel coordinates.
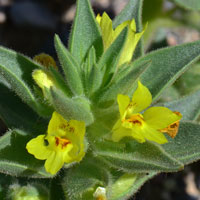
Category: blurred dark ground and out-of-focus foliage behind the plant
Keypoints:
(28, 26)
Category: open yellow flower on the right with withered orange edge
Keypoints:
(150, 125)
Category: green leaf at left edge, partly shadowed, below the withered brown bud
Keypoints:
(17, 71)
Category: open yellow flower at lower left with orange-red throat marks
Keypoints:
(63, 143)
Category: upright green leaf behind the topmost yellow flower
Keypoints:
(132, 10)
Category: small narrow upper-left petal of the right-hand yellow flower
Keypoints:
(123, 102)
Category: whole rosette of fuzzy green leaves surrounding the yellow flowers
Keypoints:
(85, 89)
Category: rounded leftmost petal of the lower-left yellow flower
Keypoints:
(38, 148)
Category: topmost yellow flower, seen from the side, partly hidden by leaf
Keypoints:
(109, 35)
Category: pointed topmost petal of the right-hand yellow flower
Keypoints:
(141, 98)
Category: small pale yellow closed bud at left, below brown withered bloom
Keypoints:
(42, 79)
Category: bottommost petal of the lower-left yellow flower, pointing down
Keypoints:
(54, 162)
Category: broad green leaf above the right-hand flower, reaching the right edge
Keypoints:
(167, 65)
